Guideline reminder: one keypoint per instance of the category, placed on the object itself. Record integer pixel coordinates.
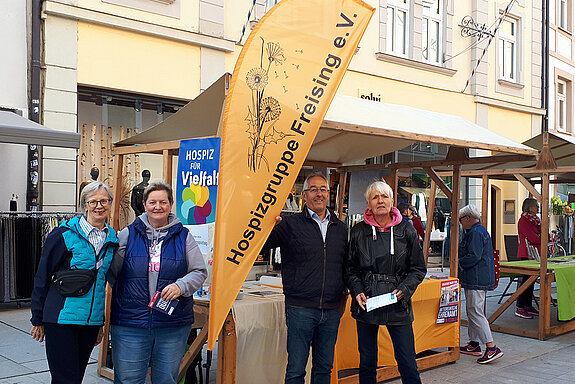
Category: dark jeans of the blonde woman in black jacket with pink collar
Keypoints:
(403, 348)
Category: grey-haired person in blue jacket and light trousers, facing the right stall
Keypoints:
(477, 276)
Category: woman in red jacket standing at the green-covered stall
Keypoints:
(528, 228)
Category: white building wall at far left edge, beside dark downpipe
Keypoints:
(13, 95)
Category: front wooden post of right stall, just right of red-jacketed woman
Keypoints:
(544, 291)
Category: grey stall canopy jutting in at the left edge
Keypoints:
(15, 129)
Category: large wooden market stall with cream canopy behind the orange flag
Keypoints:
(353, 129)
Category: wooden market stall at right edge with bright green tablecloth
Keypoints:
(554, 165)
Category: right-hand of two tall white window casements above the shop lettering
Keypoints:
(431, 31)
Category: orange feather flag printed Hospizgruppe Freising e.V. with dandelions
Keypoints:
(284, 81)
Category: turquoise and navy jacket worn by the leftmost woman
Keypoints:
(68, 246)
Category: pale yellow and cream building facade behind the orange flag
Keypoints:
(128, 64)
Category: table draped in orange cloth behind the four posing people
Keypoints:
(428, 335)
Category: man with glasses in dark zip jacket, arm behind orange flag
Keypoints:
(313, 247)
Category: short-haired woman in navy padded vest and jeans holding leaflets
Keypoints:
(156, 255)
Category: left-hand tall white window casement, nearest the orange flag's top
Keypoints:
(397, 26)
